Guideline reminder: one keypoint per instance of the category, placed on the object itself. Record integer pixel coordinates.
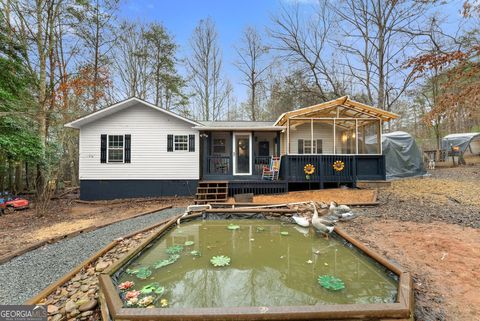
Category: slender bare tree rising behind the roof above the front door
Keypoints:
(253, 64)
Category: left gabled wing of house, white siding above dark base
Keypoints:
(135, 149)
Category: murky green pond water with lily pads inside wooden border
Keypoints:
(267, 268)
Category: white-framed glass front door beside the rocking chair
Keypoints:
(242, 154)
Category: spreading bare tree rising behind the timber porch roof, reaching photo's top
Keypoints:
(376, 38)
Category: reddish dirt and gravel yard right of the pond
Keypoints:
(431, 227)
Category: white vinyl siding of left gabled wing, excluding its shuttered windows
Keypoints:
(149, 157)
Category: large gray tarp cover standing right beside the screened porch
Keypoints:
(402, 156)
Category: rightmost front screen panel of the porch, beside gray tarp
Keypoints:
(369, 136)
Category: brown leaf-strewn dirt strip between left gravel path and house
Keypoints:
(24, 228)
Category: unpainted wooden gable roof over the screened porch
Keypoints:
(344, 102)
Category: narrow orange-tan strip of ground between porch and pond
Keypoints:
(340, 196)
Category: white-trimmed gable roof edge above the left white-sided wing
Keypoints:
(121, 106)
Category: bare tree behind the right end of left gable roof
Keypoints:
(205, 66)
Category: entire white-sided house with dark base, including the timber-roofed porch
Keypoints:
(136, 149)
